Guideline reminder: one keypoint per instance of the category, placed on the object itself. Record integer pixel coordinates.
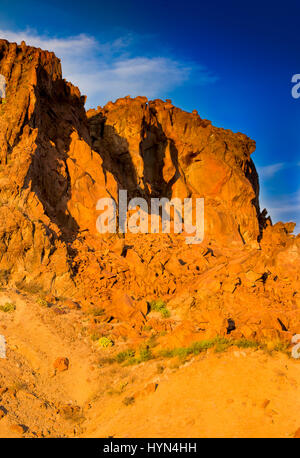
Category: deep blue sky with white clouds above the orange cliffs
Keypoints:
(232, 61)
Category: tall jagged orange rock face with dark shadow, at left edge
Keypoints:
(50, 178)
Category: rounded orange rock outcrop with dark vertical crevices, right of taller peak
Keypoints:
(154, 149)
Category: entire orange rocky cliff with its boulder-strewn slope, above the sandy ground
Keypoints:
(57, 161)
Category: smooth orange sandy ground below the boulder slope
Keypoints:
(238, 393)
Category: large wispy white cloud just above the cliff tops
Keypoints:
(106, 71)
